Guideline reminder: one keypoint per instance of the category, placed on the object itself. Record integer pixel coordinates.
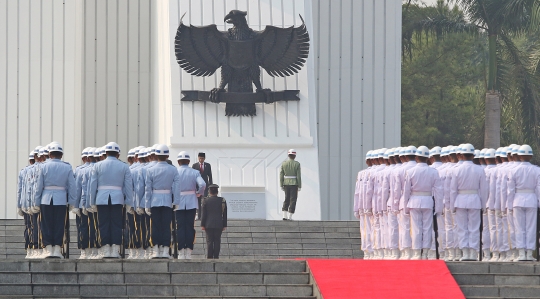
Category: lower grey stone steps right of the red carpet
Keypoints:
(490, 280)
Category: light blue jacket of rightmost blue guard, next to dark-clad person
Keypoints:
(189, 180)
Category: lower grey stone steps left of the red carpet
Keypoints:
(155, 279)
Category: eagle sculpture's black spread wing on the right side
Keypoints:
(282, 51)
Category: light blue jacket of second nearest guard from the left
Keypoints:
(111, 177)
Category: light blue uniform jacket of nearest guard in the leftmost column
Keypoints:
(55, 182)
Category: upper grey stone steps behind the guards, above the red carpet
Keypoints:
(243, 239)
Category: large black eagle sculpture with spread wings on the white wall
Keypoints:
(240, 52)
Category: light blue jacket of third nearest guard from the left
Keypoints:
(161, 178)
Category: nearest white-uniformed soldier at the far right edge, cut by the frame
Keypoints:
(523, 195)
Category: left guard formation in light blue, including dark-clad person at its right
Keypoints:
(135, 207)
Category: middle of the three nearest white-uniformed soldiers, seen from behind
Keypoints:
(468, 195)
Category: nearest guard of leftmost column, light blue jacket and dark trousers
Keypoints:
(55, 188)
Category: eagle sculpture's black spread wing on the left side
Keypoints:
(200, 51)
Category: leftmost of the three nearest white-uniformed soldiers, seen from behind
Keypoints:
(422, 184)
